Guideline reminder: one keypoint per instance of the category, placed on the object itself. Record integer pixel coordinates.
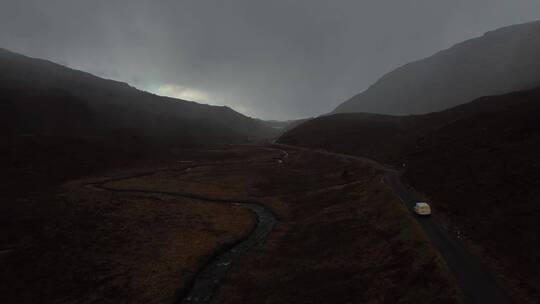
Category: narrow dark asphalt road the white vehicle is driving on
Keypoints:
(477, 284)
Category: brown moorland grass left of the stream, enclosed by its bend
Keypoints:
(87, 246)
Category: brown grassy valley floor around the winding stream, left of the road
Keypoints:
(341, 235)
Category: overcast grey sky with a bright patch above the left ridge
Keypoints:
(272, 59)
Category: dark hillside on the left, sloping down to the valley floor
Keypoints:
(58, 123)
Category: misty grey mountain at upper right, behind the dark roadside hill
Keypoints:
(501, 61)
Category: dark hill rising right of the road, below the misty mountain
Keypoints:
(478, 162)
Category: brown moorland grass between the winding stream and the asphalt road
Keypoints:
(341, 238)
